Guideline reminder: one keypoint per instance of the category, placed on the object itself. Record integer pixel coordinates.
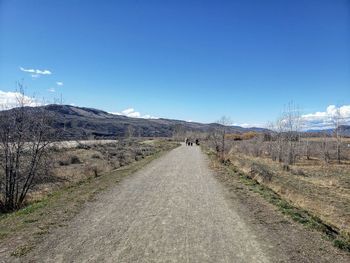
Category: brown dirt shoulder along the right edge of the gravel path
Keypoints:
(284, 239)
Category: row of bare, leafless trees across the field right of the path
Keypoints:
(284, 140)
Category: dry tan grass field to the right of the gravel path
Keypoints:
(323, 188)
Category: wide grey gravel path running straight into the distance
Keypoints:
(174, 210)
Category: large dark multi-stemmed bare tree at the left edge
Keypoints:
(25, 136)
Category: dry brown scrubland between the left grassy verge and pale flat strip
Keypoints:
(80, 160)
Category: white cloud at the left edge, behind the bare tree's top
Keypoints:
(10, 100)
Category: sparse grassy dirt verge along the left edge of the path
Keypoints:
(21, 231)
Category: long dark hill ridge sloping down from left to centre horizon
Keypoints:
(86, 123)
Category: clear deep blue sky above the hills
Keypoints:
(191, 60)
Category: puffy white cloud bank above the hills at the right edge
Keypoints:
(323, 119)
